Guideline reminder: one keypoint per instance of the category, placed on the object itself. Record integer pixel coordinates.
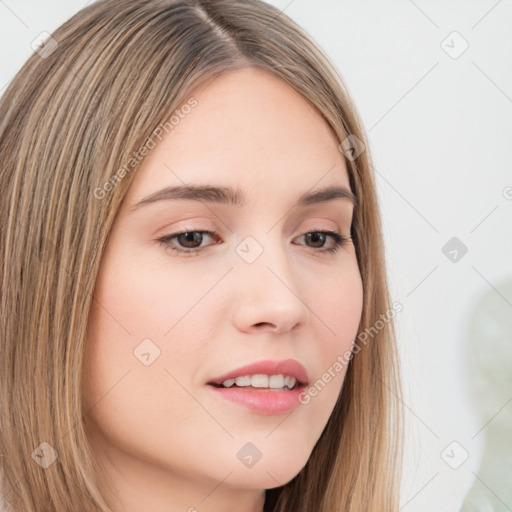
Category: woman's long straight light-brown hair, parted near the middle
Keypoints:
(75, 114)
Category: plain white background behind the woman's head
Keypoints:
(440, 130)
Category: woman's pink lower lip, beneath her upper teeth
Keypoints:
(263, 401)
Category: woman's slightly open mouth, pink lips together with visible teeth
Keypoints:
(267, 387)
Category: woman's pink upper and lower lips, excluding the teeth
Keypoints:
(265, 401)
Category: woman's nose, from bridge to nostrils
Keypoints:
(268, 294)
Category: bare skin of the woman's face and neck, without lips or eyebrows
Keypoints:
(165, 440)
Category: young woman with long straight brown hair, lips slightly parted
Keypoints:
(257, 374)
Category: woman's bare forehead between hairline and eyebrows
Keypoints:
(248, 129)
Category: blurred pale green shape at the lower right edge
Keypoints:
(490, 363)
